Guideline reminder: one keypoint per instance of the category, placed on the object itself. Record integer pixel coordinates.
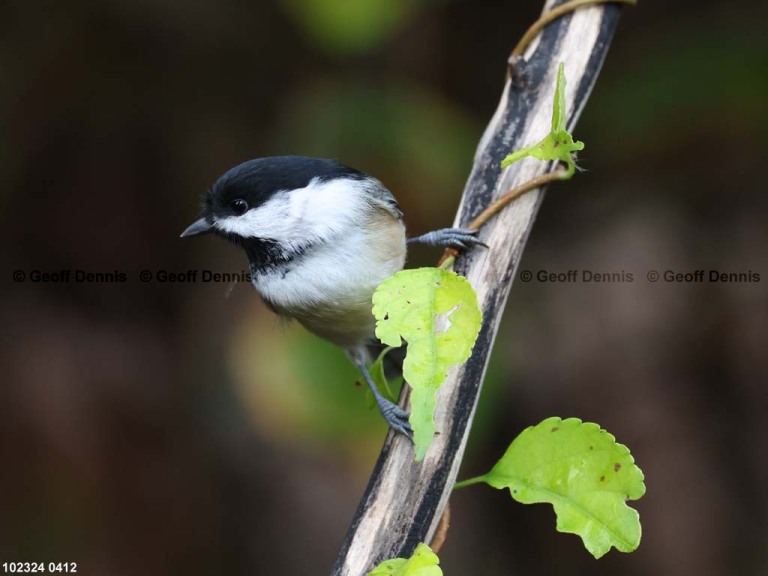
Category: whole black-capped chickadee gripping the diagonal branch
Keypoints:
(320, 237)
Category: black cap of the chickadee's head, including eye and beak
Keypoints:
(254, 182)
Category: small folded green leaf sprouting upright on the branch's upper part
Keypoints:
(558, 144)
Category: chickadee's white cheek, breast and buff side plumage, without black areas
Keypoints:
(356, 240)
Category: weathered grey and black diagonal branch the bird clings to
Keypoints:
(404, 499)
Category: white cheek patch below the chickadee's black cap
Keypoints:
(316, 212)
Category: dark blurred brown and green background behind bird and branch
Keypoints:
(178, 428)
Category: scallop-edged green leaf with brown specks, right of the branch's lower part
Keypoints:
(584, 473)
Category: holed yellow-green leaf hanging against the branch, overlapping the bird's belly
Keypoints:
(436, 312)
